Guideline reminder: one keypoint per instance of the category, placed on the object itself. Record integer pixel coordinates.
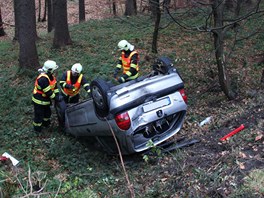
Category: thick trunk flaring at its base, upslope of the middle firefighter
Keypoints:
(61, 34)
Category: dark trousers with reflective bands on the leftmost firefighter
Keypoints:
(42, 114)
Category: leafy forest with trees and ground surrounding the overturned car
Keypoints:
(217, 46)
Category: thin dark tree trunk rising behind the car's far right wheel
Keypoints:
(156, 28)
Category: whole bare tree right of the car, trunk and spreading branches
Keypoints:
(219, 28)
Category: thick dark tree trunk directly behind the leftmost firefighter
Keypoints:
(28, 56)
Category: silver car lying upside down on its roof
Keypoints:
(129, 115)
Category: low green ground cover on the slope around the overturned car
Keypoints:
(84, 171)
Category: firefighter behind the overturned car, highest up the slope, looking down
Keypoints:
(128, 62)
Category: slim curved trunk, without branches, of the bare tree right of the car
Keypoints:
(218, 8)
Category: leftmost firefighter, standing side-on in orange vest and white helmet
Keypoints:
(45, 89)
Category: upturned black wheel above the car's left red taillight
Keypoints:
(99, 90)
